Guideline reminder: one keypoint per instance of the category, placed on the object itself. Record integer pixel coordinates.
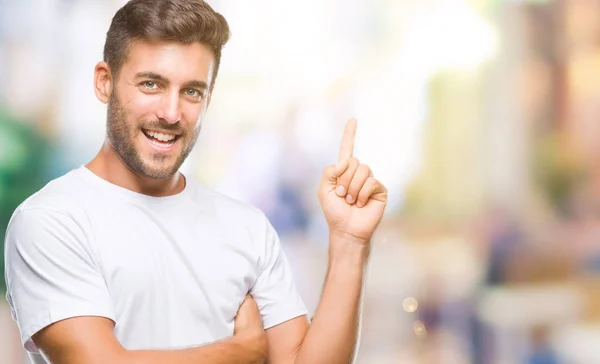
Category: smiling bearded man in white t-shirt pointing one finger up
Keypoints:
(125, 260)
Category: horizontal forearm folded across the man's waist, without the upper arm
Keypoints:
(236, 350)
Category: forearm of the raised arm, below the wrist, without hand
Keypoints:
(333, 333)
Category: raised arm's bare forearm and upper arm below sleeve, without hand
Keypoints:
(332, 336)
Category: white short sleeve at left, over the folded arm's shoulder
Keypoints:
(50, 274)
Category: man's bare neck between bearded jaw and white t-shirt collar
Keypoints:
(107, 164)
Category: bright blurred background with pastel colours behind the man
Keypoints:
(481, 117)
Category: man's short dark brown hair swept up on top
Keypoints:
(181, 21)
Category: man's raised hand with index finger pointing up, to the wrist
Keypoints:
(352, 200)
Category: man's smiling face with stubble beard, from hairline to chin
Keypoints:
(157, 105)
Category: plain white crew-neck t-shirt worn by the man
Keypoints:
(171, 272)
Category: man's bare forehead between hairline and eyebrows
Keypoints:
(175, 61)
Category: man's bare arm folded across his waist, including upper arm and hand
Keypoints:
(90, 340)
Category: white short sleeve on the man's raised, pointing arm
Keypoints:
(274, 290)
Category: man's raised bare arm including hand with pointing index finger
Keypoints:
(353, 203)
